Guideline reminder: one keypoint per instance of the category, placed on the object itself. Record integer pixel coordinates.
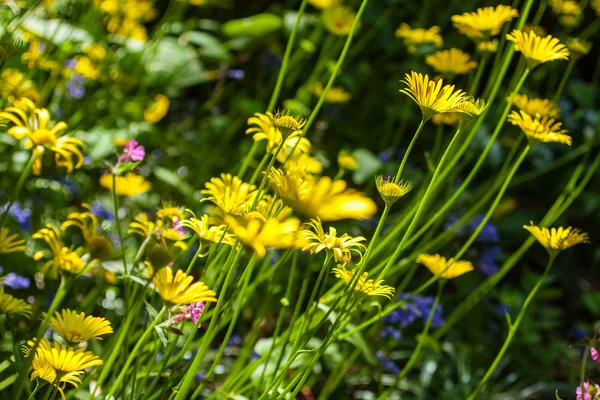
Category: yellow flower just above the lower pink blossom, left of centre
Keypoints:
(179, 289)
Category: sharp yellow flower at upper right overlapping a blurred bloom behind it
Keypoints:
(540, 129)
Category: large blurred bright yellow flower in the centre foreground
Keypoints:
(327, 199)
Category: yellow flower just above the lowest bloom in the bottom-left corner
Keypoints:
(77, 328)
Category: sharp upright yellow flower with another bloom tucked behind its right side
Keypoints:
(431, 96)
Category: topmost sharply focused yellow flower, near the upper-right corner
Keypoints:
(537, 50)
